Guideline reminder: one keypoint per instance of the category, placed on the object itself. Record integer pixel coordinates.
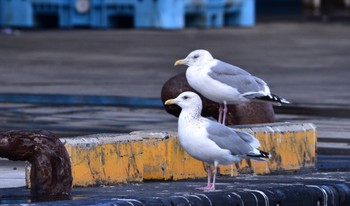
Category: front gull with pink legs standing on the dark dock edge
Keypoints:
(209, 141)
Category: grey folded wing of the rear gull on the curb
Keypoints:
(236, 77)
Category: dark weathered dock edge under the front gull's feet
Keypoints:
(289, 190)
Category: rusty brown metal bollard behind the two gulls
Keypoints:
(251, 113)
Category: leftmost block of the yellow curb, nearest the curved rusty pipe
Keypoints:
(105, 159)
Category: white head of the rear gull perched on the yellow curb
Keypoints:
(196, 58)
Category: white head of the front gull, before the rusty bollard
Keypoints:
(187, 100)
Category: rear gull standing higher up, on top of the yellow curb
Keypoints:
(224, 83)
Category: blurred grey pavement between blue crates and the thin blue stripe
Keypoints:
(303, 62)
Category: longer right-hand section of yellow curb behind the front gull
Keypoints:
(292, 146)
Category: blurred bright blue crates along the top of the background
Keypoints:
(143, 13)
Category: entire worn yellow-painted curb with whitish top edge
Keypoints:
(144, 155)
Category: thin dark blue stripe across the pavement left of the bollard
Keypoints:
(81, 100)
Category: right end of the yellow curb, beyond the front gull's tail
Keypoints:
(292, 147)
